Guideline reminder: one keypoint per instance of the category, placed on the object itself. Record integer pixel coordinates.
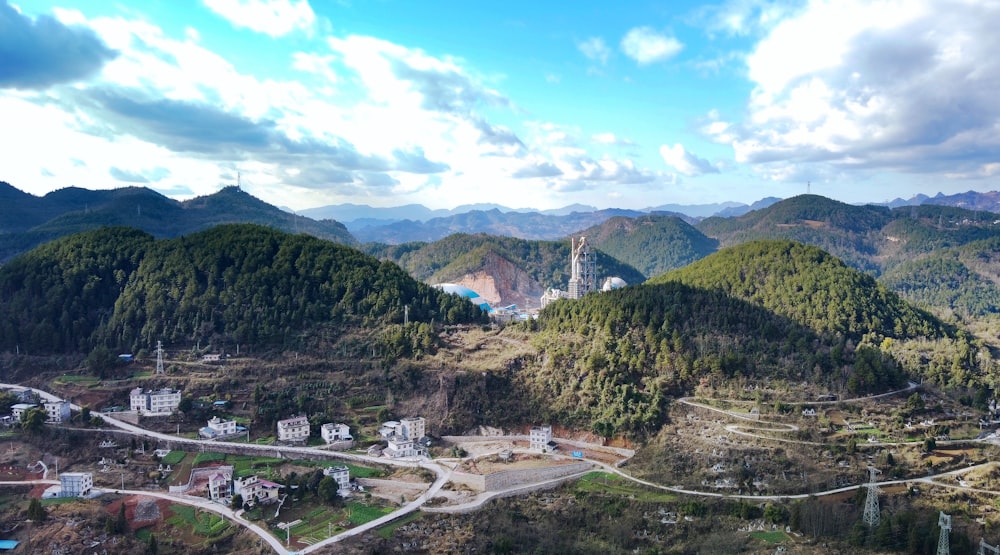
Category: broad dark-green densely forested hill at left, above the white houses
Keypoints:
(233, 283)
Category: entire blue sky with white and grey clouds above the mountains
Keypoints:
(626, 104)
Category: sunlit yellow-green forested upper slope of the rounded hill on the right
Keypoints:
(809, 286)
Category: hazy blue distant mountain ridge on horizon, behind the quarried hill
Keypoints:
(524, 225)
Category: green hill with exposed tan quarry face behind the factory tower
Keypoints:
(503, 270)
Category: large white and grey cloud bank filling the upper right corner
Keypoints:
(895, 85)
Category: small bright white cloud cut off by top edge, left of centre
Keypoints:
(271, 17)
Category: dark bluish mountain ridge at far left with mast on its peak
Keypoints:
(29, 221)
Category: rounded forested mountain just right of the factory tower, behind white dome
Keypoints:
(653, 244)
